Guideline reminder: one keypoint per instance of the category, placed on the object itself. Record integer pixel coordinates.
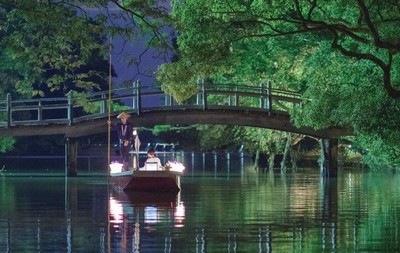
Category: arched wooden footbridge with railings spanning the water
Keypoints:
(80, 115)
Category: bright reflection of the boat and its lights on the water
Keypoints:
(133, 217)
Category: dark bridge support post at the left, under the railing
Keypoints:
(71, 156)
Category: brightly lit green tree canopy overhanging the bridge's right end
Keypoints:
(342, 55)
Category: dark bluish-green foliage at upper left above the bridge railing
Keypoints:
(47, 46)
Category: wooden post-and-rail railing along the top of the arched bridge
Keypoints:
(140, 98)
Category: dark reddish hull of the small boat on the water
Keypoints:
(153, 181)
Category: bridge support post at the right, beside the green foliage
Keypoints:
(329, 157)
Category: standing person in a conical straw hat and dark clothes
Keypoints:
(125, 130)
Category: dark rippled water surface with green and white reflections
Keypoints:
(215, 212)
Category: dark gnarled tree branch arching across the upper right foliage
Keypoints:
(367, 35)
